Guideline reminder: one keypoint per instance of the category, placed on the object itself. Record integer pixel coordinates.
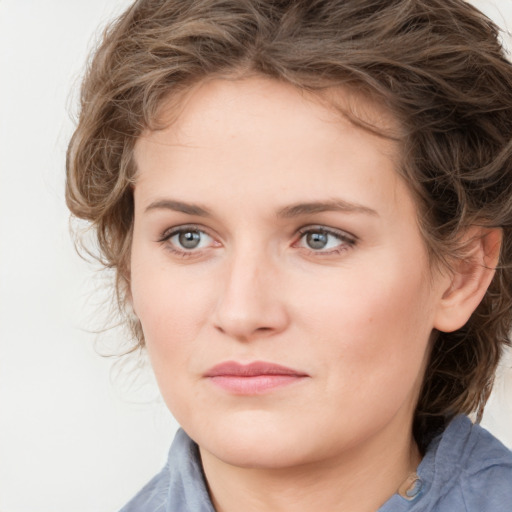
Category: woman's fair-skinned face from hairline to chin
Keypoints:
(280, 277)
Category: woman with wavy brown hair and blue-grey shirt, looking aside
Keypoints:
(308, 208)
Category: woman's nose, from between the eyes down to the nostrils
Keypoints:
(251, 301)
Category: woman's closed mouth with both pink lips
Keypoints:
(254, 378)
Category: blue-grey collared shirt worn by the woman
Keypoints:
(465, 469)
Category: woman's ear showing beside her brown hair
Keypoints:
(470, 277)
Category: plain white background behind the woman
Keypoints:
(75, 435)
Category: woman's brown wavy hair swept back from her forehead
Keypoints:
(436, 65)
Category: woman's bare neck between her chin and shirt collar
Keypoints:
(360, 480)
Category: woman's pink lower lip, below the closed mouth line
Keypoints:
(255, 384)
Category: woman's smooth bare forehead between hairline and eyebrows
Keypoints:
(268, 136)
